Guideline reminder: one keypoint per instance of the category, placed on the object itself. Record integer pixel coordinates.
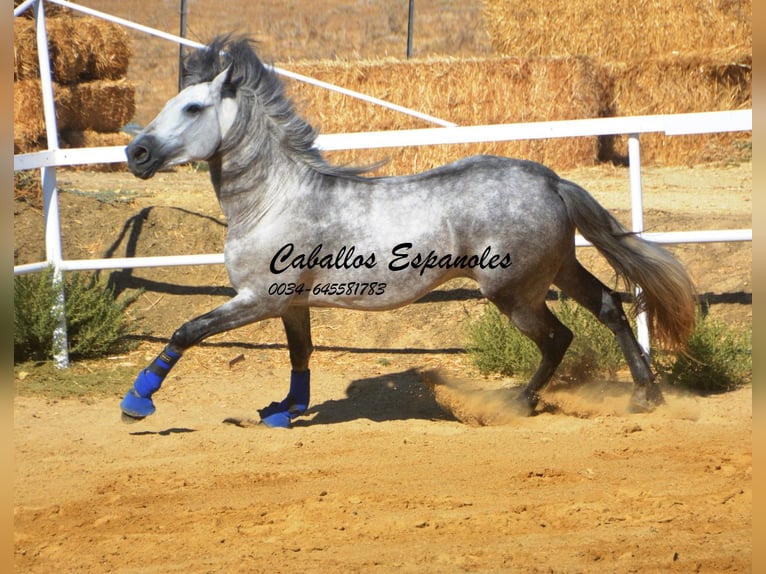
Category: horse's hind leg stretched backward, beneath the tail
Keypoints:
(592, 294)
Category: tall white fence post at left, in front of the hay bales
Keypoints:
(53, 252)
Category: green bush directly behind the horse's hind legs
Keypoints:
(496, 346)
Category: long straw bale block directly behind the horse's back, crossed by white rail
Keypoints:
(465, 91)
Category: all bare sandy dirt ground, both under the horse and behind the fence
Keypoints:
(389, 472)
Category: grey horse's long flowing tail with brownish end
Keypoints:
(667, 292)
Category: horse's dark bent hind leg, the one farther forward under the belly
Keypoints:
(552, 338)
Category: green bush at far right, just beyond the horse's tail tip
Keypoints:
(718, 359)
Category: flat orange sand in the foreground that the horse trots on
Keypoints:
(379, 478)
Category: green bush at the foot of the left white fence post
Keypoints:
(97, 324)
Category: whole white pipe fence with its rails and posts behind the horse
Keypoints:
(48, 160)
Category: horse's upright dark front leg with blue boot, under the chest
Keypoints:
(297, 323)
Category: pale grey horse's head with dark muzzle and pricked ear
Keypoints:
(190, 127)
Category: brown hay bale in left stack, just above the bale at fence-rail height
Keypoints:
(81, 49)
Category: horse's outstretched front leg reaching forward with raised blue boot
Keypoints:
(239, 311)
